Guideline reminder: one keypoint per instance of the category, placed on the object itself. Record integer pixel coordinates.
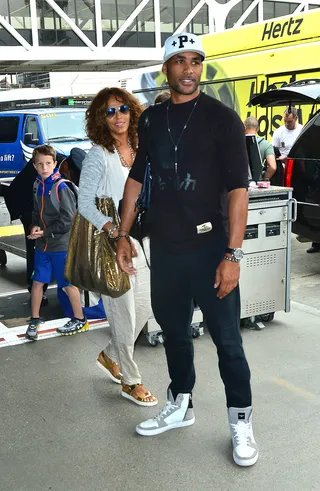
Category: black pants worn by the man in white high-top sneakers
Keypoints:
(178, 278)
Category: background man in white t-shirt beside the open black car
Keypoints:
(284, 137)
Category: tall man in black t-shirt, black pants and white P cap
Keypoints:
(199, 201)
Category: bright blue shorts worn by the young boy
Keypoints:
(50, 265)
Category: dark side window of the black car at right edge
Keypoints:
(307, 144)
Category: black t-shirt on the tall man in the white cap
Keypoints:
(211, 161)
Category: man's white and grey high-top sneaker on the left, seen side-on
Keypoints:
(175, 414)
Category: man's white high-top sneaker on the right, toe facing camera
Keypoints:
(245, 449)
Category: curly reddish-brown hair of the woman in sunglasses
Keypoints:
(96, 125)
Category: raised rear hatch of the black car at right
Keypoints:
(302, 92)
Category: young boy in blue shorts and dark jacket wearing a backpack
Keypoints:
(50, 230)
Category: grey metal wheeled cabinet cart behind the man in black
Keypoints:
(266, 266)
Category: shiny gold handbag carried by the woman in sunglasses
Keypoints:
(91, 260)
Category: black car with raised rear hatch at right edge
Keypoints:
(302, 169)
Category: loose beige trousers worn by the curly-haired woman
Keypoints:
(127, 315)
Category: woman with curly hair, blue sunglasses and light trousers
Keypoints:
(111, 122)
